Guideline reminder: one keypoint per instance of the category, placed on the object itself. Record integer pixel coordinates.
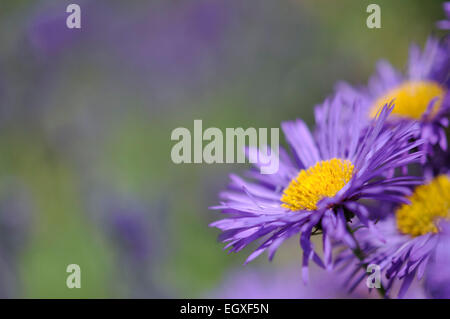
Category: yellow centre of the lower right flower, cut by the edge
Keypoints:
(429, 204)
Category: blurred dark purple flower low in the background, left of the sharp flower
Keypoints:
(134, 229)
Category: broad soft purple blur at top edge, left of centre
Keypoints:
(173, 39)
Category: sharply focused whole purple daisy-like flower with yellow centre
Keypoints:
(317, 192)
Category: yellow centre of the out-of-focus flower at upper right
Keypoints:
(411, 99)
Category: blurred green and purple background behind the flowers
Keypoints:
(86, 116)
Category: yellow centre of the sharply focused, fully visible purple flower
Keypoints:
(324, 179)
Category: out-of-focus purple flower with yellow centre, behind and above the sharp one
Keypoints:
(422, 94)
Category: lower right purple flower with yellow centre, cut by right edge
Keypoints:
(412, 237)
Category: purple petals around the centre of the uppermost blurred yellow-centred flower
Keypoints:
(431, 65)
